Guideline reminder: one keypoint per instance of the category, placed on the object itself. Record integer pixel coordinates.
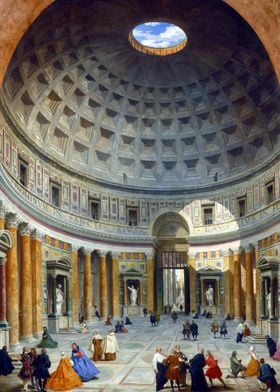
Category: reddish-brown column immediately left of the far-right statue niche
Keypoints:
(249, 294)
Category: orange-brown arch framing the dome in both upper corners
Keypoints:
(17, 16)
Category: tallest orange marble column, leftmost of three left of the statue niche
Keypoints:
(12, 284)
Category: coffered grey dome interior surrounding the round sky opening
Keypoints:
(85, 99)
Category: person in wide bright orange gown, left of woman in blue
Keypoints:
(64, 377)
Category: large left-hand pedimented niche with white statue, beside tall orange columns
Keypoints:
(58, 293)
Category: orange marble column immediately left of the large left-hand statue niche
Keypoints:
(36, 262)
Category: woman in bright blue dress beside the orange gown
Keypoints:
(82, 365)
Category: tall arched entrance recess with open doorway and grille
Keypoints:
(170, 231)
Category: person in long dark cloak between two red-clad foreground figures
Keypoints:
(197, 364)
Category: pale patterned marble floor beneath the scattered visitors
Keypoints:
(132, 371)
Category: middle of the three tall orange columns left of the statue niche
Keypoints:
(25, 283)
